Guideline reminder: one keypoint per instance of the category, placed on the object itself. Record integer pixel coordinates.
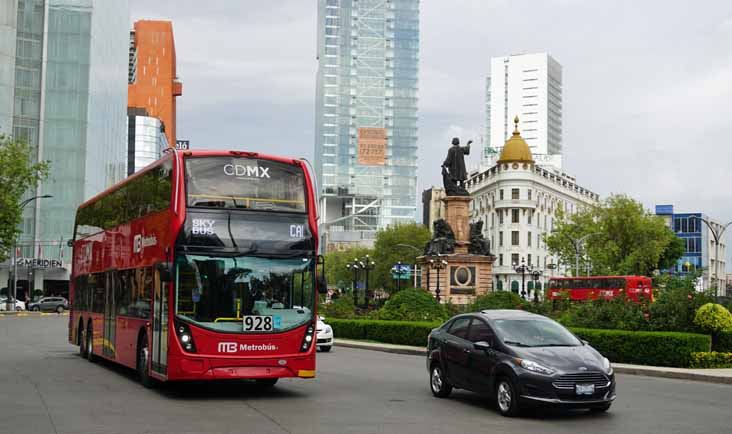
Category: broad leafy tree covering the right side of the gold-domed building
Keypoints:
(621, 238)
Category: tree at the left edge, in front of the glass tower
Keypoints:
(18, 175)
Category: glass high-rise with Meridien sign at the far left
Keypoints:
(63, 90)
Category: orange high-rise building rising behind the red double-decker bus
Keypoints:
(153, 83)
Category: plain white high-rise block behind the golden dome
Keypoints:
(528, 86)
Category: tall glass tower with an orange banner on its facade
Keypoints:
(366, 117)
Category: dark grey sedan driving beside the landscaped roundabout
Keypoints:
(521, 360)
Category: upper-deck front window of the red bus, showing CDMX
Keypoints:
(245, 183)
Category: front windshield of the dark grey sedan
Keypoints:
(534, 333)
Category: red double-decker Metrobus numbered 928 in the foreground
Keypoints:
(203, 265)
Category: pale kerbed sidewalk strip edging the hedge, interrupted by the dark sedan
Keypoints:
(719, 376)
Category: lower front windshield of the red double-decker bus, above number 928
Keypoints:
(221, 292)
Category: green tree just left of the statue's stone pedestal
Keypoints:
(388, 251)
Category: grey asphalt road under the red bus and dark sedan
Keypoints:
(46, 388)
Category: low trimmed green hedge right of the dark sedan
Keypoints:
(646, 348)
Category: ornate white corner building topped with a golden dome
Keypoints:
(517, 200)
